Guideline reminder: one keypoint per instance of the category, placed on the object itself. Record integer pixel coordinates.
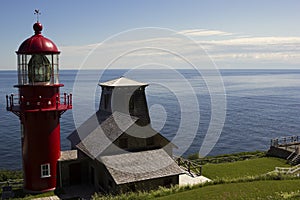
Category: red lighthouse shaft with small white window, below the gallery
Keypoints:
(41, 150)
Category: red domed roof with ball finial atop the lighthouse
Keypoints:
(38, 44)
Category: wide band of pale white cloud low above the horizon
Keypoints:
(221, 46)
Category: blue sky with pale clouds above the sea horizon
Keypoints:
(233, 34)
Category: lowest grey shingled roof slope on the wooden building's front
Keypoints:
(139, 166)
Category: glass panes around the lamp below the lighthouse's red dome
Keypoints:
(38, 69)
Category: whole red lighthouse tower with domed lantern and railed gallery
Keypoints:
(39, 106)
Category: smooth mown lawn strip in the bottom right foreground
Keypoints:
(249, 190)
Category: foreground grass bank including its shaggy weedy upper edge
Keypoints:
(285, 188)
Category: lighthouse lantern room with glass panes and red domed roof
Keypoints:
(38, 60)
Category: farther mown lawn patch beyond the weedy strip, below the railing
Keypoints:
(238, 169)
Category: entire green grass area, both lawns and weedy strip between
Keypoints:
(235, 180)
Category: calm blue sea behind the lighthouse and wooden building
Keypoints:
(261, 104)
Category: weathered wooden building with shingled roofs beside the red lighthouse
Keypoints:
(116, 149)
